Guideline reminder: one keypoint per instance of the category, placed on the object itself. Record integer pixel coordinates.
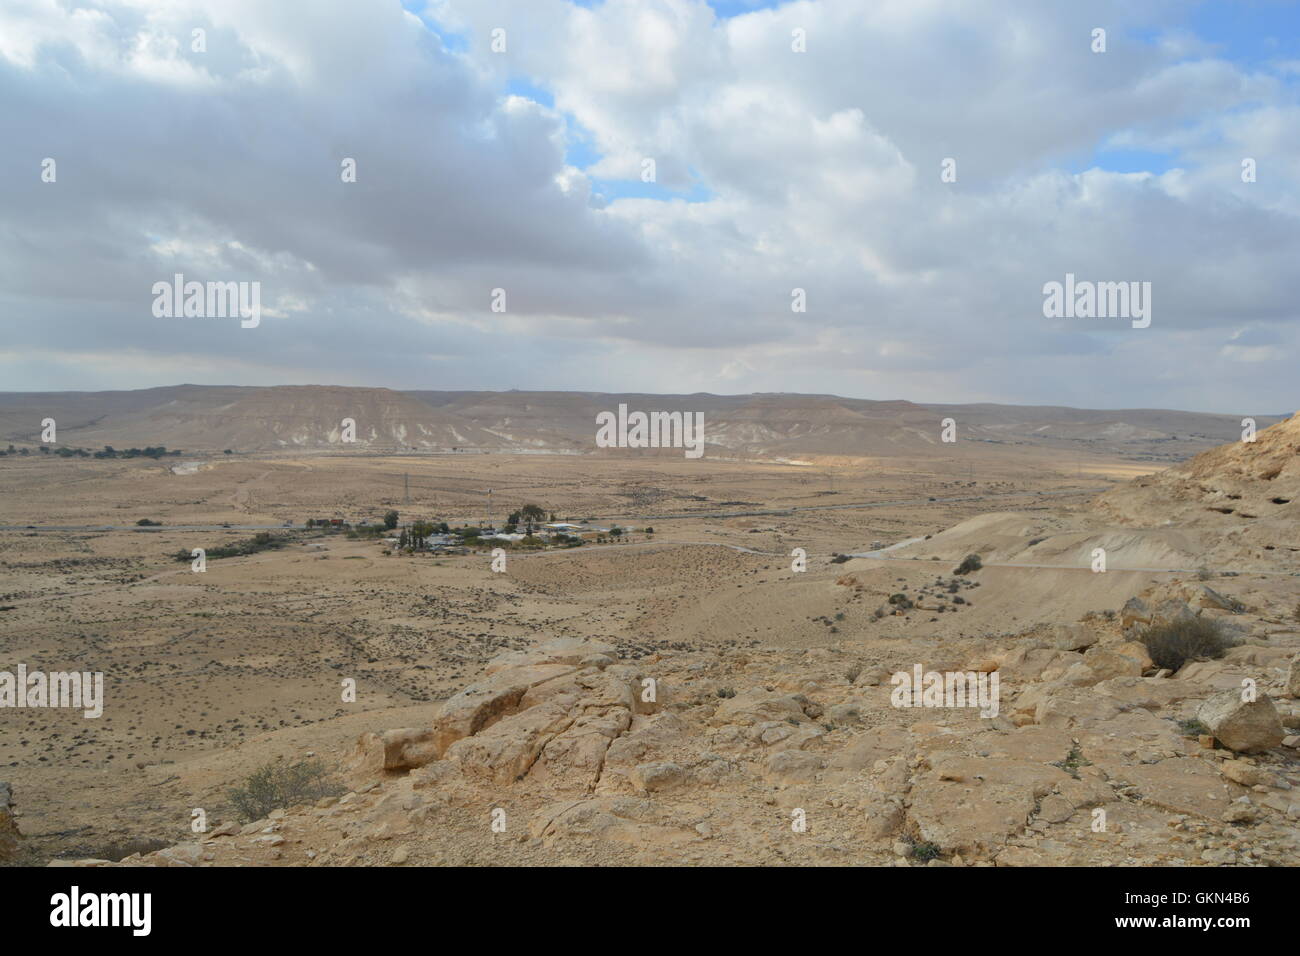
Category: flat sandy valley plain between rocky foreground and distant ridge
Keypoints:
(210, 676)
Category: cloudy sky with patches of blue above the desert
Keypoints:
(501, 232)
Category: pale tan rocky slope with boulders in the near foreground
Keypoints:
(566, 754)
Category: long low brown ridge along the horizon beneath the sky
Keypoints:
(773, 426)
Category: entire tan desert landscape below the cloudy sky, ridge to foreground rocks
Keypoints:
(696, 665)
